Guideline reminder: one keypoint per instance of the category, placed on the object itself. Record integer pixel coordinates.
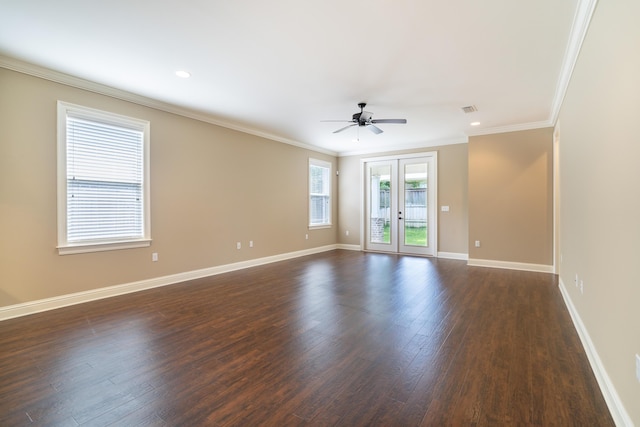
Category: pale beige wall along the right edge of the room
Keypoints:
(600, 192)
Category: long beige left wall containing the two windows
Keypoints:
(210, 187)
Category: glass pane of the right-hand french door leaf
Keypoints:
(415, 205)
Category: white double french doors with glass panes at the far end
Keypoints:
(400, 200)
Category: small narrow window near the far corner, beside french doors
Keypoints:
(319, 193)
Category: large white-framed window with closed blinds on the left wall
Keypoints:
(103, 180)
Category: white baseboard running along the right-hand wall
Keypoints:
(618, 412)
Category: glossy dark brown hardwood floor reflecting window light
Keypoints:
(340, 338)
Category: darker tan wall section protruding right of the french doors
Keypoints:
(511, 197)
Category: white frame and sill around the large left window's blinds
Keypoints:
(64, 246)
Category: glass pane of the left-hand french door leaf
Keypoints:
(380, 209)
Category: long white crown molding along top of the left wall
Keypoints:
(79, 83)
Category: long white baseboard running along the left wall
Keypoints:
(38, 306)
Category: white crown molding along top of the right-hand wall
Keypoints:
(581, 21)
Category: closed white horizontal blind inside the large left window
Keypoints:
(104, 181)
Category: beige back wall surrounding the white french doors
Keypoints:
(452, 191)
